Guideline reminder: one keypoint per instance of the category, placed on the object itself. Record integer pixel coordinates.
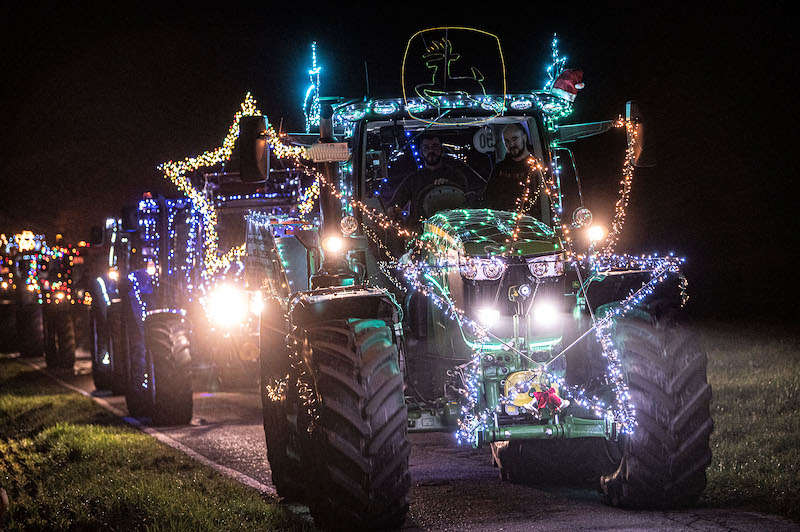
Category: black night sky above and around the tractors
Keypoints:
(93, 101)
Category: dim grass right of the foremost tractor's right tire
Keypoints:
(755, 376)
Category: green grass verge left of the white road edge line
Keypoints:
(68, 464)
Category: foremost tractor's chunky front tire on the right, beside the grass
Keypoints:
(664, 461)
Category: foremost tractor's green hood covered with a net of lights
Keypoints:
(482, 232)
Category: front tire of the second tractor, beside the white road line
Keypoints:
(160, 377)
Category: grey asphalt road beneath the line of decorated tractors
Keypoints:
(453, 488)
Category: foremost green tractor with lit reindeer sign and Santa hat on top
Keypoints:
(444, 288)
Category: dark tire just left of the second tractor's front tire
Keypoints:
(106, 345)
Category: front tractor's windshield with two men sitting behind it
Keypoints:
(416, 168)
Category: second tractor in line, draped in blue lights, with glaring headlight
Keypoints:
(168, 308)
